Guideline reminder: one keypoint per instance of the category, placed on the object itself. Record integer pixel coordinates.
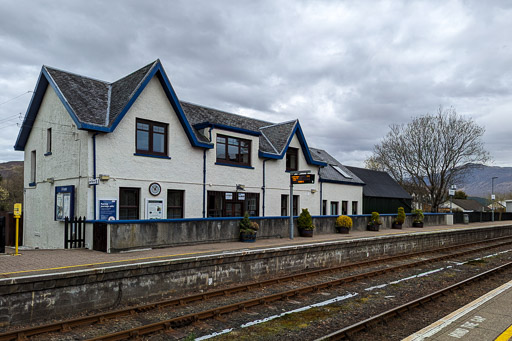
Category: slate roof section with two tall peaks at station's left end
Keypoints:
(99, 106)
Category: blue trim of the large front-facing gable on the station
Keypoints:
(158, 71)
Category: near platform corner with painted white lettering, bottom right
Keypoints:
(486, 319)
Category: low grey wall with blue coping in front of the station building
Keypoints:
(151, 234)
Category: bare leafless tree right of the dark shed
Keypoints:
(430, 153)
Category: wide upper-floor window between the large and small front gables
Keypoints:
(233, 150)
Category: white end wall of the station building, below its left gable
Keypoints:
(66, 165)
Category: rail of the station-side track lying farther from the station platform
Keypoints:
(184, 320)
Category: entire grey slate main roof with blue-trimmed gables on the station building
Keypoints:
(99, 106)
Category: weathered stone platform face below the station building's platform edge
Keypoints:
(42, 297)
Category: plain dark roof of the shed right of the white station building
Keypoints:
(379, 184)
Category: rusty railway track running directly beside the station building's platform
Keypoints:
(219, 311)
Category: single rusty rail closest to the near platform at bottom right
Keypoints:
(346, 332)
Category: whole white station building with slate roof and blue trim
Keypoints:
(131, 150)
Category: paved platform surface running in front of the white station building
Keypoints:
(32, 262)
